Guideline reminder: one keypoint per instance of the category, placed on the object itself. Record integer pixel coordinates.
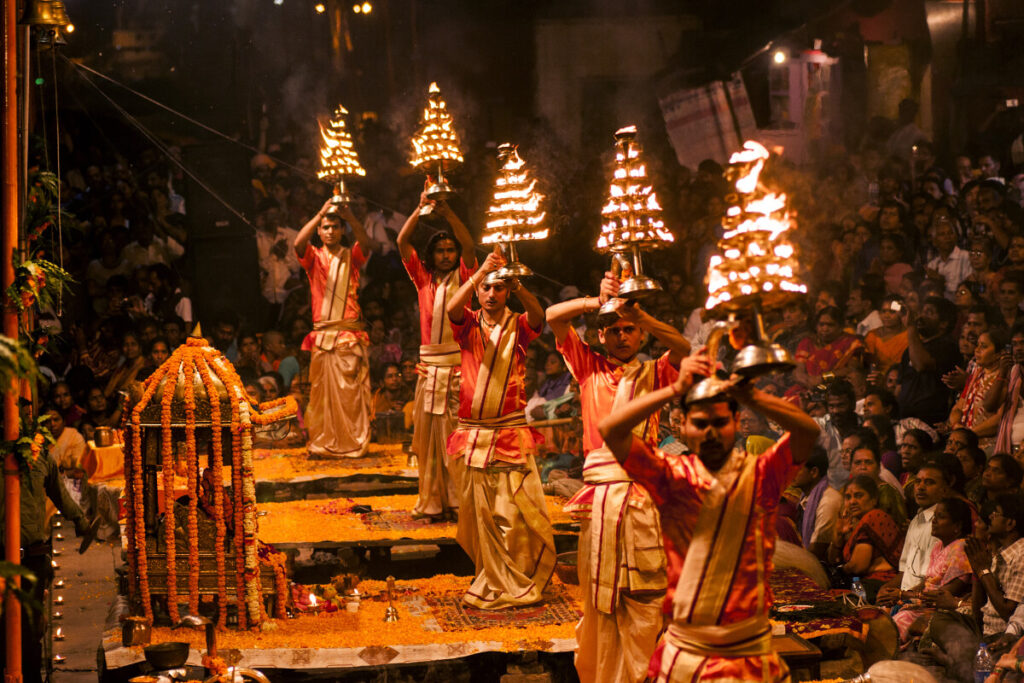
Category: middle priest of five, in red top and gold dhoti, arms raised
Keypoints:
(503, 523)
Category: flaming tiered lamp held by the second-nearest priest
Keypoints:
(631, 220)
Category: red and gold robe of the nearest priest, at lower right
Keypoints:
(719, 537)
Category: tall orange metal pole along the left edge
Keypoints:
(9, 243)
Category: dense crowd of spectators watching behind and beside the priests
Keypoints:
(910, 351)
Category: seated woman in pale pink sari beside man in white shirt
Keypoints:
(948, 581)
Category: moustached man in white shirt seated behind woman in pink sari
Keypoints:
(933, 485)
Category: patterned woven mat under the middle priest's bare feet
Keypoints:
(453, 615)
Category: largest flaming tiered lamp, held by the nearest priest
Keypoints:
(756, 268)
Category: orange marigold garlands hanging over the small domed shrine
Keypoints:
(196, 357)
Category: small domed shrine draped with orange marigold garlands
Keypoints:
(196, 402)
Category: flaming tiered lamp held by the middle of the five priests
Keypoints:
(516, 214)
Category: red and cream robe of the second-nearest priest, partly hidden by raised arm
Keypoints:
(621, 557)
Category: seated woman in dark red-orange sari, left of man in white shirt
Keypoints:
(868, 543)
